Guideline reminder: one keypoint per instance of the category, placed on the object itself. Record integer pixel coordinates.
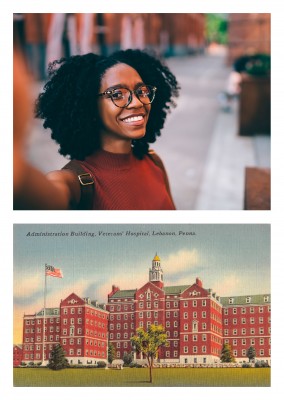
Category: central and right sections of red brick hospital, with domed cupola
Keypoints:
(196, 320)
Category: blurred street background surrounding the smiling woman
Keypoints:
(216, 143)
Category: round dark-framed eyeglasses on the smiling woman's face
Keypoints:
(122, 96)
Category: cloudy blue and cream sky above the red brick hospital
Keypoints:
(231, 259)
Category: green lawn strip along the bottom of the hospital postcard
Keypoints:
(139, 377)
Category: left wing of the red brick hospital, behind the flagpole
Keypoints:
(79, 325)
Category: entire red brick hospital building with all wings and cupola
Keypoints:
(196, 320)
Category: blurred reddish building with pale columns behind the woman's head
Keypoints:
(45, 37)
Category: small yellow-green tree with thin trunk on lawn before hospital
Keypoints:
(149, 343)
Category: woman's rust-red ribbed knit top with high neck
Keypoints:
(122, 182)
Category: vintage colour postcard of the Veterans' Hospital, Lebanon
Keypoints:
(125, 305)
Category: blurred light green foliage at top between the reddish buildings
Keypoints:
(216, 28)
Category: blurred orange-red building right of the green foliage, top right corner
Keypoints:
(248, 34)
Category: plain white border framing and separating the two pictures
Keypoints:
(9, 217)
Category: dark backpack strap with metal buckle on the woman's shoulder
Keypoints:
(87, 184)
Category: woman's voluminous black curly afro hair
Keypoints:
(69, 103)
